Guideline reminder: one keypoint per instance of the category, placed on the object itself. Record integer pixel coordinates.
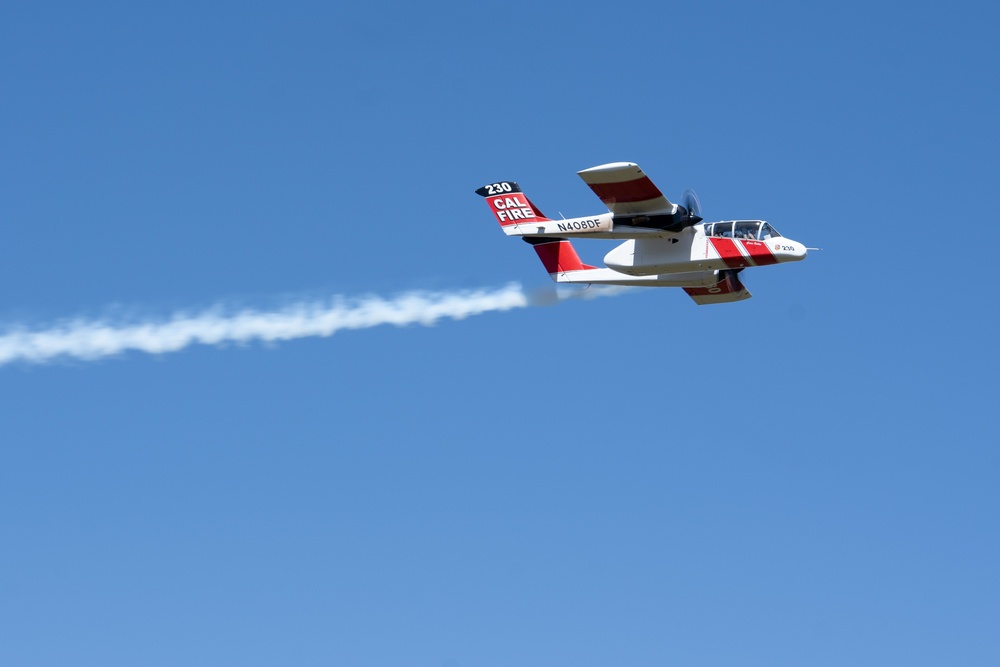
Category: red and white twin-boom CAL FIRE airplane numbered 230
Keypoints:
(665, 244)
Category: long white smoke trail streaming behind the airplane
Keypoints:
(94, 339)
